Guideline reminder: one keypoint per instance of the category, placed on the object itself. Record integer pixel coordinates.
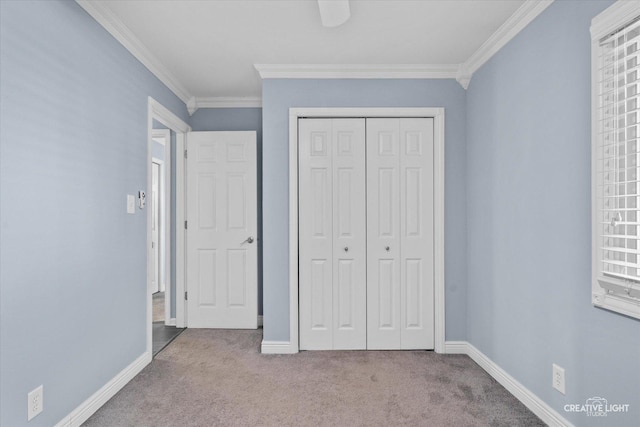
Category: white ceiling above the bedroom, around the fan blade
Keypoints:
(208, 49)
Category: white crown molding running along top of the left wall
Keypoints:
(120, 32)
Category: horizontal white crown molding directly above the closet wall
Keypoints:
(356, 71)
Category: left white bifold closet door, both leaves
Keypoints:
(332, 234)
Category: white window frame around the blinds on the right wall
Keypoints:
(607, 292)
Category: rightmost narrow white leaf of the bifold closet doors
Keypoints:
(416, 231)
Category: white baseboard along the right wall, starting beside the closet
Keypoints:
(536, 405)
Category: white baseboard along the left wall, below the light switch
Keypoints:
(99, 398)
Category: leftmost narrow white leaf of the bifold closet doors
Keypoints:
(315, 234)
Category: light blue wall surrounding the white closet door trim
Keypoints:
(277, 97)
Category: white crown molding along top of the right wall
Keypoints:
(503, 35)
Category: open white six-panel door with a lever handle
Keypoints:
(221, 246)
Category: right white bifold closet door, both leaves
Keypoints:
(400, 234)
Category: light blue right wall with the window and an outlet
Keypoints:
(529, 221)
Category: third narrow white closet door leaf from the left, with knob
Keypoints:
(383, 234)
